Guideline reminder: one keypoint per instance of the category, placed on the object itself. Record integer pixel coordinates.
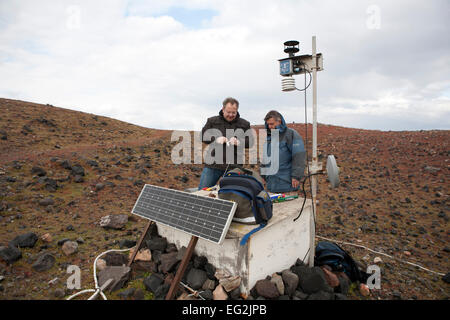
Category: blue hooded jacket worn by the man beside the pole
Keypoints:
(291, 159)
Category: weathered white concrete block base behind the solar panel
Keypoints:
(271, 249)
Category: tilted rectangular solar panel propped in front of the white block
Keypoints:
(204, 217)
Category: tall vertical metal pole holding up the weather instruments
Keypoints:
(314, 156)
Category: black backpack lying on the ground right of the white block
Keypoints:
(329, 253)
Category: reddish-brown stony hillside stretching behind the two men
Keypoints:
(393, 195)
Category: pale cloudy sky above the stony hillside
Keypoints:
(169, 64)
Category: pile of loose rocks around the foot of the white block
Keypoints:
(205, 281)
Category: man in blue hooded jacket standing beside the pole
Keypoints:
(291, 160)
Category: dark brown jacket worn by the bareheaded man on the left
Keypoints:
(220, 123)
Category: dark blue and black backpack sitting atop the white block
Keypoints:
(245, 187)
